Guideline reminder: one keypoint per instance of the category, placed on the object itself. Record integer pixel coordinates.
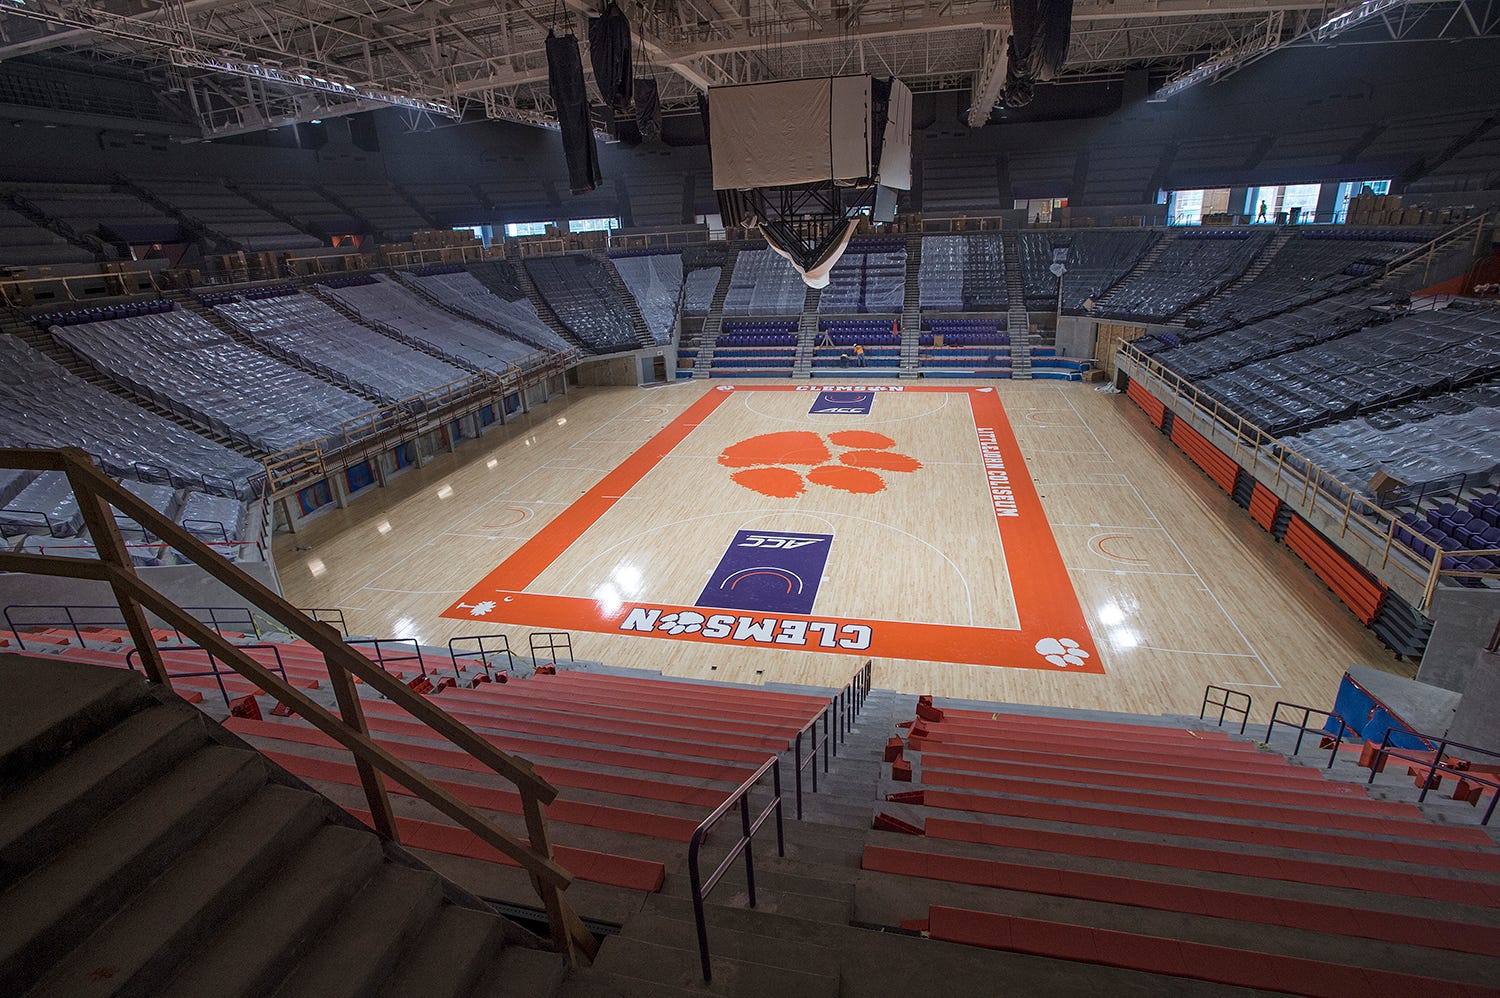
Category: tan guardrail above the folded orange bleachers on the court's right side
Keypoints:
(1279, 466)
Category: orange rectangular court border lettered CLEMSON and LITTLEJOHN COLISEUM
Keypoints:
(1052, 636)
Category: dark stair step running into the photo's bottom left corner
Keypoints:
(44, 915)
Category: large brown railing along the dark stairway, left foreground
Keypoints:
(97, 493)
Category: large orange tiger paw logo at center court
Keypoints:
(772, 464)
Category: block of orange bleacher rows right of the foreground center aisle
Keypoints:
(1109, 817)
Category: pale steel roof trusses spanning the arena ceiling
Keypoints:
(245, 65)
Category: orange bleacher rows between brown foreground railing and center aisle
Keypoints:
(640, 763)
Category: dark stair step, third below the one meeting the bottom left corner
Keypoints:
(370, 937)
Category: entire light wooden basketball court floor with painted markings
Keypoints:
(622, 516)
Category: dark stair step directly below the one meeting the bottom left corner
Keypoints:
(172, 918)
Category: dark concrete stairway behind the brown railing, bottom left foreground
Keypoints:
(145, 852)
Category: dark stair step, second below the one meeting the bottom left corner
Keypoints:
(269, 934)
